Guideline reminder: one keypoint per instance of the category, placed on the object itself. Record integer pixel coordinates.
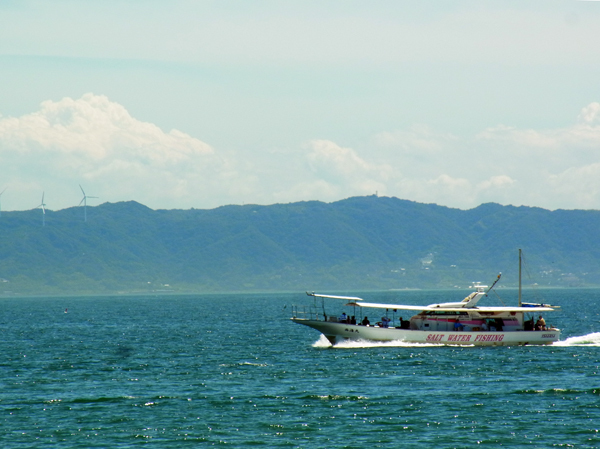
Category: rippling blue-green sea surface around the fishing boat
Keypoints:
(232, 370)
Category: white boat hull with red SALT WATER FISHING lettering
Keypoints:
(338, 332)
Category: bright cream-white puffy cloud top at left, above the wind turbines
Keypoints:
(95, 128)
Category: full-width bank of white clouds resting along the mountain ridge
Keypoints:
(97, 143)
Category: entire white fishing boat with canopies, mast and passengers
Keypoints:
(451, 323)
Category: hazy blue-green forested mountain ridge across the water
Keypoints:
(355, 244)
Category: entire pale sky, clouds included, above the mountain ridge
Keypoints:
(197, 104)
